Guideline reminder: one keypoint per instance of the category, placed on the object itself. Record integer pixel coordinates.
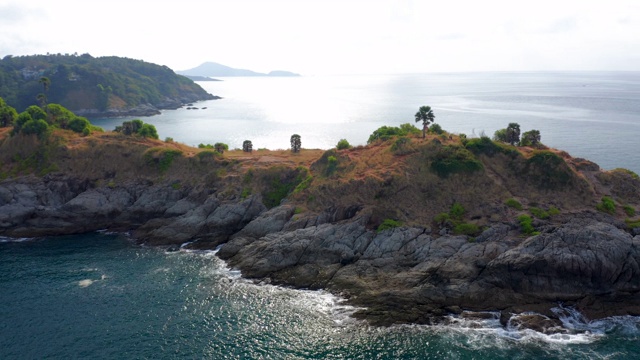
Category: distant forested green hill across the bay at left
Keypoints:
(103, 86)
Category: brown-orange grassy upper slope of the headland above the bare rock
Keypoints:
(442, 181)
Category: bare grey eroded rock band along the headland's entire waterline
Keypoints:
(400, 275)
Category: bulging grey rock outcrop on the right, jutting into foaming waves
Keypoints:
(407, 274)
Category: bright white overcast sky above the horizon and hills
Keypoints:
(335, 37)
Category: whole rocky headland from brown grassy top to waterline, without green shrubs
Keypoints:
(326, 232)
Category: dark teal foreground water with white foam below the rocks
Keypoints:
(100, 296)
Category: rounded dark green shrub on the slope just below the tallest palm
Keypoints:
(454, 159)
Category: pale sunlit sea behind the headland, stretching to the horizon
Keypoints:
(593, 115)
